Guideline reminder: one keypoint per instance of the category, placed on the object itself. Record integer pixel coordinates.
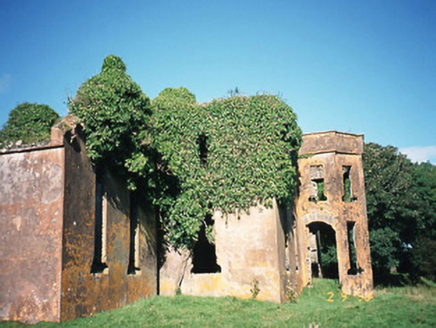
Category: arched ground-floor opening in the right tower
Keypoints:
(323, 252)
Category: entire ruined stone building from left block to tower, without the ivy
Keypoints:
(74, 242)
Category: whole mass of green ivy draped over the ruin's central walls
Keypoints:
(191, 159)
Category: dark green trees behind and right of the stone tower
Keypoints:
(401, 203)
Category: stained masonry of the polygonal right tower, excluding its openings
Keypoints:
(334, 150)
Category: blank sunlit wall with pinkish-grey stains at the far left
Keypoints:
(31, 210)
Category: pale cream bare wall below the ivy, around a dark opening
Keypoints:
(250, 250)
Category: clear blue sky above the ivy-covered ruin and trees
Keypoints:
(354, 66)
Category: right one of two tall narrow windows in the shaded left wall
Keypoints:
(133, 266)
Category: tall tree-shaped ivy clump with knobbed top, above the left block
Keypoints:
(116, 115)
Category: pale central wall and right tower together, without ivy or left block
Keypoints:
(272, 252)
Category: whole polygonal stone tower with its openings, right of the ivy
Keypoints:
(331, 213)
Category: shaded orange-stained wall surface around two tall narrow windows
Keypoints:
(84, 293)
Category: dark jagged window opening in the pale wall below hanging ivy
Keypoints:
(204, 254)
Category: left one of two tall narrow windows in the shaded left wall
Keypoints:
(100, 227)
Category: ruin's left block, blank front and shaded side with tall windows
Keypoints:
(71, 243)
